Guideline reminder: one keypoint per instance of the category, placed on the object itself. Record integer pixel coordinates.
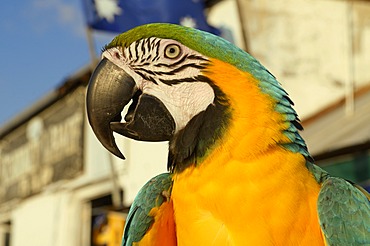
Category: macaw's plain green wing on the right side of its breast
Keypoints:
(344, 213)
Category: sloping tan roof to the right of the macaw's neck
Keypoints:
(331, 130)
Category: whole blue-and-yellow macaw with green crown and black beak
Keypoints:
(239, 172)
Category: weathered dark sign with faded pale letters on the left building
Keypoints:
(46, 149)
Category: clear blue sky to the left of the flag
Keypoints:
(42, 42)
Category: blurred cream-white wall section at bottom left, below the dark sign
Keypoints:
(44, 220)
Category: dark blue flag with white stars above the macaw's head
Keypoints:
(122, 15)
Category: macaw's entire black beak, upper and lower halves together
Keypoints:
(110, 89)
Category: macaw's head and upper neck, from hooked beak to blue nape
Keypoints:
(191, 88)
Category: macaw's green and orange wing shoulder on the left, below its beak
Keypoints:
(150, 218)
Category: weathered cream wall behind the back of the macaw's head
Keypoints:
(317, 49)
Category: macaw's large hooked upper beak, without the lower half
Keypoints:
(110, 89)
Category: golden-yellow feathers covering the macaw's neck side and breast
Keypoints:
(241, 189)
